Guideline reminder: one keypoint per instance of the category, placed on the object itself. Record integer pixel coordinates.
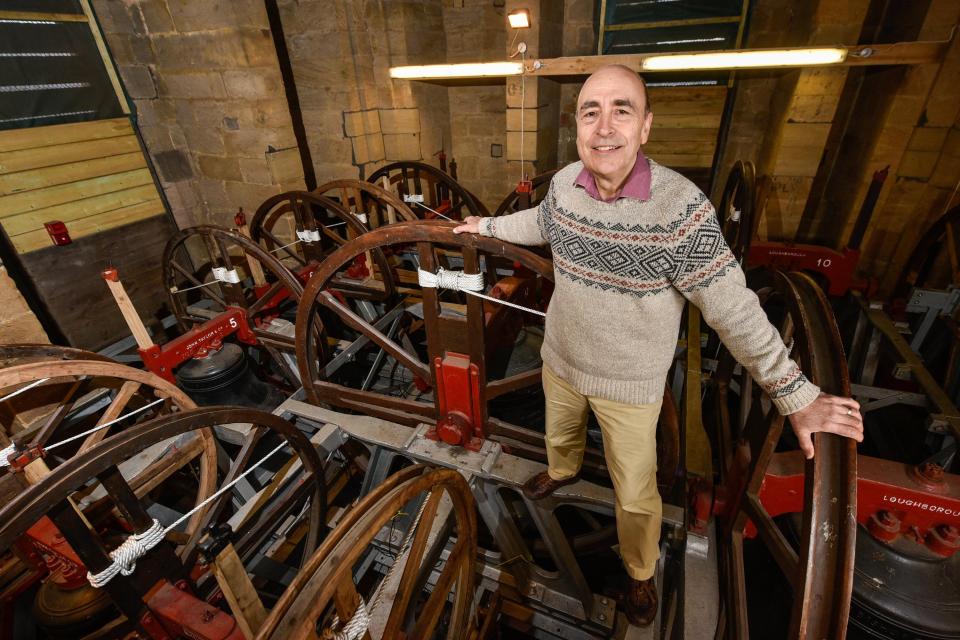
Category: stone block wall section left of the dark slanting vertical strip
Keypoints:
(205, 82)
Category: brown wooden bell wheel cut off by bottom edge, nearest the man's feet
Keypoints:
(326, 586)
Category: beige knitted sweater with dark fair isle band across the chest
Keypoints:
(623, 271)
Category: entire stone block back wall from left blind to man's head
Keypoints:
(205, 82)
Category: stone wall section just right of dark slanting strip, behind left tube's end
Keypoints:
(356, 117)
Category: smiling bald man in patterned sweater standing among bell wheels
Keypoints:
(633, 241)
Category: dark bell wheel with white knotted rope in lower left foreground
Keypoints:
(90, 503)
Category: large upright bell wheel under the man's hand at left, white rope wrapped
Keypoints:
(457, 325)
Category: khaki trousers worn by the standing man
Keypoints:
(630, 447)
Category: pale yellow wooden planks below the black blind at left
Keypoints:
(92, 176)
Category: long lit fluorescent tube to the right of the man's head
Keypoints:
(745, 59)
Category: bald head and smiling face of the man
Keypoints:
(612, 123)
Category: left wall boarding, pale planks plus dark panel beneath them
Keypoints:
(92, 176)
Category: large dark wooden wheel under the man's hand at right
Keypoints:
(751, 437)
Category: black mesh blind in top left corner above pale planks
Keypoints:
(51, 71)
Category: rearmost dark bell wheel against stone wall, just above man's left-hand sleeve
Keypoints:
(440, 191)
